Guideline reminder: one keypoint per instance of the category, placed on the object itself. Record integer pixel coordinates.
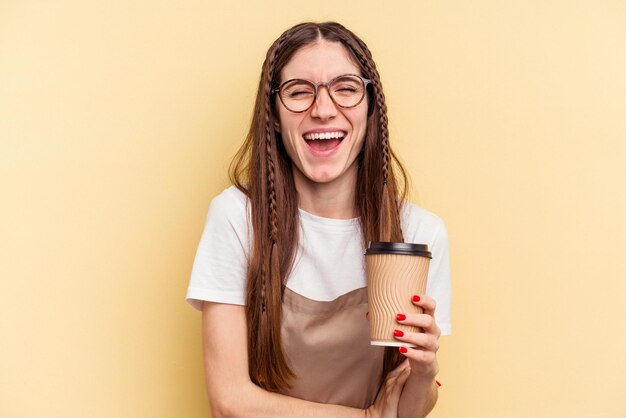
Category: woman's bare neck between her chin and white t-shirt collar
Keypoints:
(329, 200)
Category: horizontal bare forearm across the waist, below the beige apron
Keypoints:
(252, 401)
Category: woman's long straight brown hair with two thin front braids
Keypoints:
(262, 170)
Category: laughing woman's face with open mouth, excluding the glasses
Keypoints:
(317, 161)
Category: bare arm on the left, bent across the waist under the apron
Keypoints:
(232, 393)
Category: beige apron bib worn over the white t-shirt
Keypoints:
(327, 346)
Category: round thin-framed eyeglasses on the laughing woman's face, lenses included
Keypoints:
(346, 91)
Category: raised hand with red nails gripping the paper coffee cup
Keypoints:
(423, 358)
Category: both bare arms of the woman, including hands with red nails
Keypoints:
(409, 391)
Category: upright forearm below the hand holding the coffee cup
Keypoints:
(418, 397)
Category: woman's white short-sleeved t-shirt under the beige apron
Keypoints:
(329, 260)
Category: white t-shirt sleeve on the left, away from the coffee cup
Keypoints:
(220, 266)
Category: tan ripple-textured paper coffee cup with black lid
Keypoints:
(395, 272)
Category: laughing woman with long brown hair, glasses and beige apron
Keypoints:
(279, 274)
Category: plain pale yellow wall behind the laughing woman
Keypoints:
(117, 123)
